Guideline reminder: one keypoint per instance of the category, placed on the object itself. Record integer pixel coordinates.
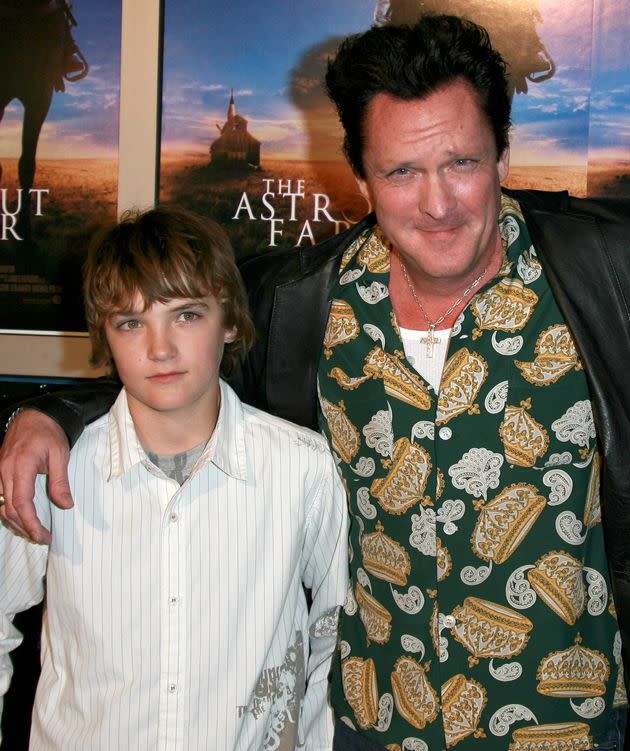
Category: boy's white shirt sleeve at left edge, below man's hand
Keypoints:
(22, 570)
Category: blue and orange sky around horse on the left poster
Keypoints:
(83, 120)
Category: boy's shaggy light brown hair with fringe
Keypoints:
(163, 253)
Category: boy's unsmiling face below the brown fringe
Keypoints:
(168, 356)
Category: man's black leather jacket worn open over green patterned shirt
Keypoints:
(584, 247)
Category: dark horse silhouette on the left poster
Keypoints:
(36, 52)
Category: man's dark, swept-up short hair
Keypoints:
(410, 62)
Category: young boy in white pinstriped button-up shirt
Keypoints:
(177, 587)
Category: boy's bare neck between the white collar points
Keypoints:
(171, 433)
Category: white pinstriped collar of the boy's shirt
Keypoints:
(226, 449)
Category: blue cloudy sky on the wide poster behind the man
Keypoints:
(212, 47)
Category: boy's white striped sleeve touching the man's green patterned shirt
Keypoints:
(325, 574)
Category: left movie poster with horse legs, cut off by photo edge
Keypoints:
(59, 92)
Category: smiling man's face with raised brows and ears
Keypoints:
(433, 178)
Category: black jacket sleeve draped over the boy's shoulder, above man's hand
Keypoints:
(73, 407)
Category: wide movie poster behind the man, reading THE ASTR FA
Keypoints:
(249, 137)
